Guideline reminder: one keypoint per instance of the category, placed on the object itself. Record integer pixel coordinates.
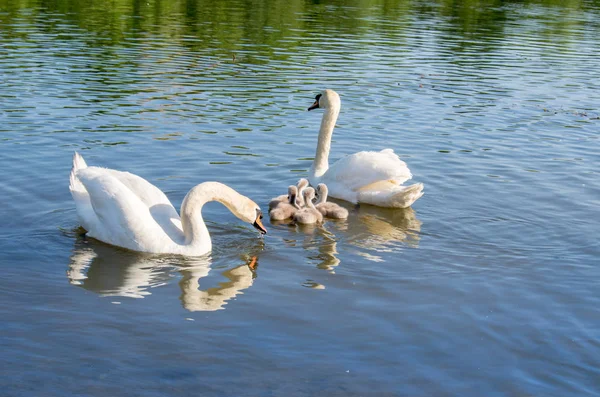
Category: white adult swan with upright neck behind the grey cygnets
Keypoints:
(365, 177)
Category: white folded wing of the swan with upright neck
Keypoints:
(362, 169)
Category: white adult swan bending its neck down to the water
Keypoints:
(125, 210)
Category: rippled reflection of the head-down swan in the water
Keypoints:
(111, 271)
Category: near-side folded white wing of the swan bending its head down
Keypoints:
(123, 218)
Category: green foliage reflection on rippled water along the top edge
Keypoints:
(228, 27)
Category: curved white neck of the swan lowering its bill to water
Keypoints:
(194, 228)
